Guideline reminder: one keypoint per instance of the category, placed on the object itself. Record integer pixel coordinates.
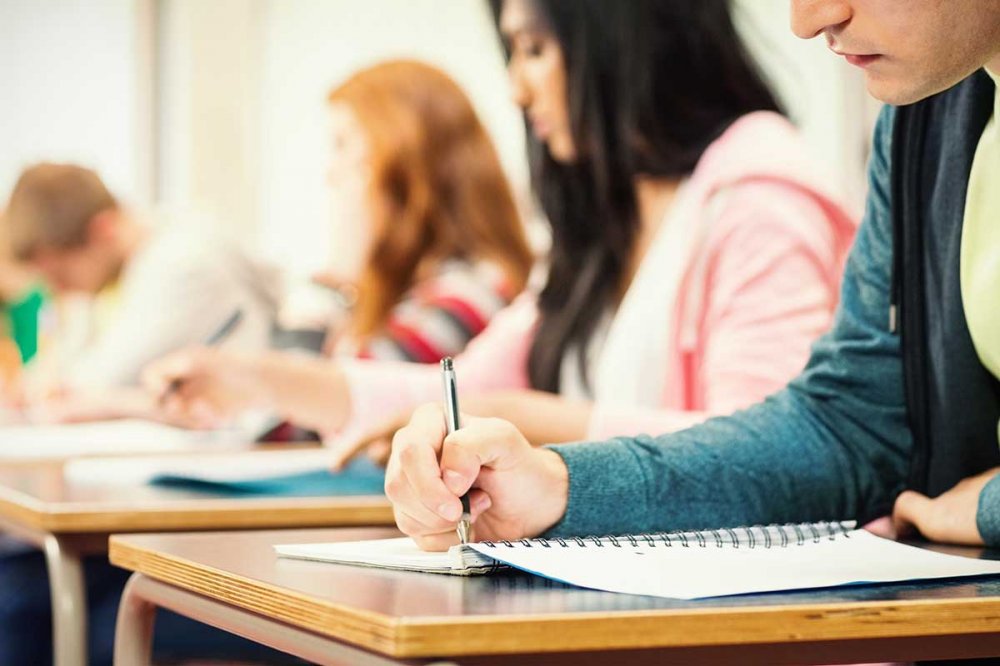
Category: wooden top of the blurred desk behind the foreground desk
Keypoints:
(41, 497)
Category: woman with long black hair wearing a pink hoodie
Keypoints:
(695, 249)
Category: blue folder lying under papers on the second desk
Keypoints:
(361, 477)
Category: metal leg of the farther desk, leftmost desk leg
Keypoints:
(69, 603)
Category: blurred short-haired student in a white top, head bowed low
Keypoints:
(162, 287)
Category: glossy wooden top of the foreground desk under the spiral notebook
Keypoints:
(406, 615)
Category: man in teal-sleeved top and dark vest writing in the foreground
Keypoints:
(900, 401)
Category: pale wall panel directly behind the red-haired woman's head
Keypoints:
(312, 45)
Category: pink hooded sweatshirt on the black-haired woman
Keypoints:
(755, 288)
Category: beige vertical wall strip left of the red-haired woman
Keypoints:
(209, 61)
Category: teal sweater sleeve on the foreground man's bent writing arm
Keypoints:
(833, 445)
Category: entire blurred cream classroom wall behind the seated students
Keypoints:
(220, 105)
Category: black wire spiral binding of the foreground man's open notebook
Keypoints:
(756, 536)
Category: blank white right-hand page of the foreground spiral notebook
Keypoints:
(696, 572)
